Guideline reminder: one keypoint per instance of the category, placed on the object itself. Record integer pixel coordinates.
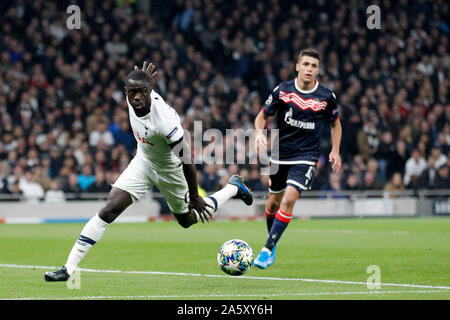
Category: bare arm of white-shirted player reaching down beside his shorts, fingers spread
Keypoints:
(196, 202)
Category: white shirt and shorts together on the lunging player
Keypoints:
(155, 163)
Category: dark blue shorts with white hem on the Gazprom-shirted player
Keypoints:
(299, 176)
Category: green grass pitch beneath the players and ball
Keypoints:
(317, 259)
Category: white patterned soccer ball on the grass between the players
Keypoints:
(235, 257)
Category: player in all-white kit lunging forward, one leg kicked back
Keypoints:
(163, 159)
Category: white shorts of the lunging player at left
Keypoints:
(139, 177)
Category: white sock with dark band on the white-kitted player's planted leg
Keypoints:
(91, 233)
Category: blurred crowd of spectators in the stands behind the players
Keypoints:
(64, 124)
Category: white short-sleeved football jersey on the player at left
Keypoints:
(155, 131)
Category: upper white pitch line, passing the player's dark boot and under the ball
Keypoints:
(231, 277)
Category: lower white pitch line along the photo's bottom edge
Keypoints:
(230, 295)
